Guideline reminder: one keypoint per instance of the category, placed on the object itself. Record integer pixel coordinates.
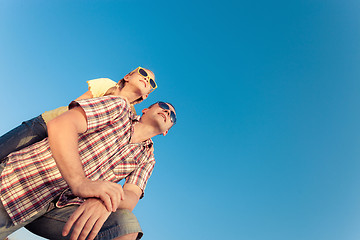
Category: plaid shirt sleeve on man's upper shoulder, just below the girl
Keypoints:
(102, 111)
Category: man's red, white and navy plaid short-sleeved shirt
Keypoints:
(31, 179)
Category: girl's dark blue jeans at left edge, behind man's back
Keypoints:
(29, 132)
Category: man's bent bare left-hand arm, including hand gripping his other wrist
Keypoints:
(63, 138)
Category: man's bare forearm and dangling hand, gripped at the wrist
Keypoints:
(91, 215)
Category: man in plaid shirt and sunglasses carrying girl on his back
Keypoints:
(107, 150)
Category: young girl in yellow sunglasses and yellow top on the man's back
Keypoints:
(134, 87)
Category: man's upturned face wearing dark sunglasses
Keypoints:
(161, 115)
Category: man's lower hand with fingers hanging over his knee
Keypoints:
(90, 216)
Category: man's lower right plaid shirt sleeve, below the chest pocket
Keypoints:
(142, 173)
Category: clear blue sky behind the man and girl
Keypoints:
(266, 146)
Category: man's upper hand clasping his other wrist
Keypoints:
(110, 193)
